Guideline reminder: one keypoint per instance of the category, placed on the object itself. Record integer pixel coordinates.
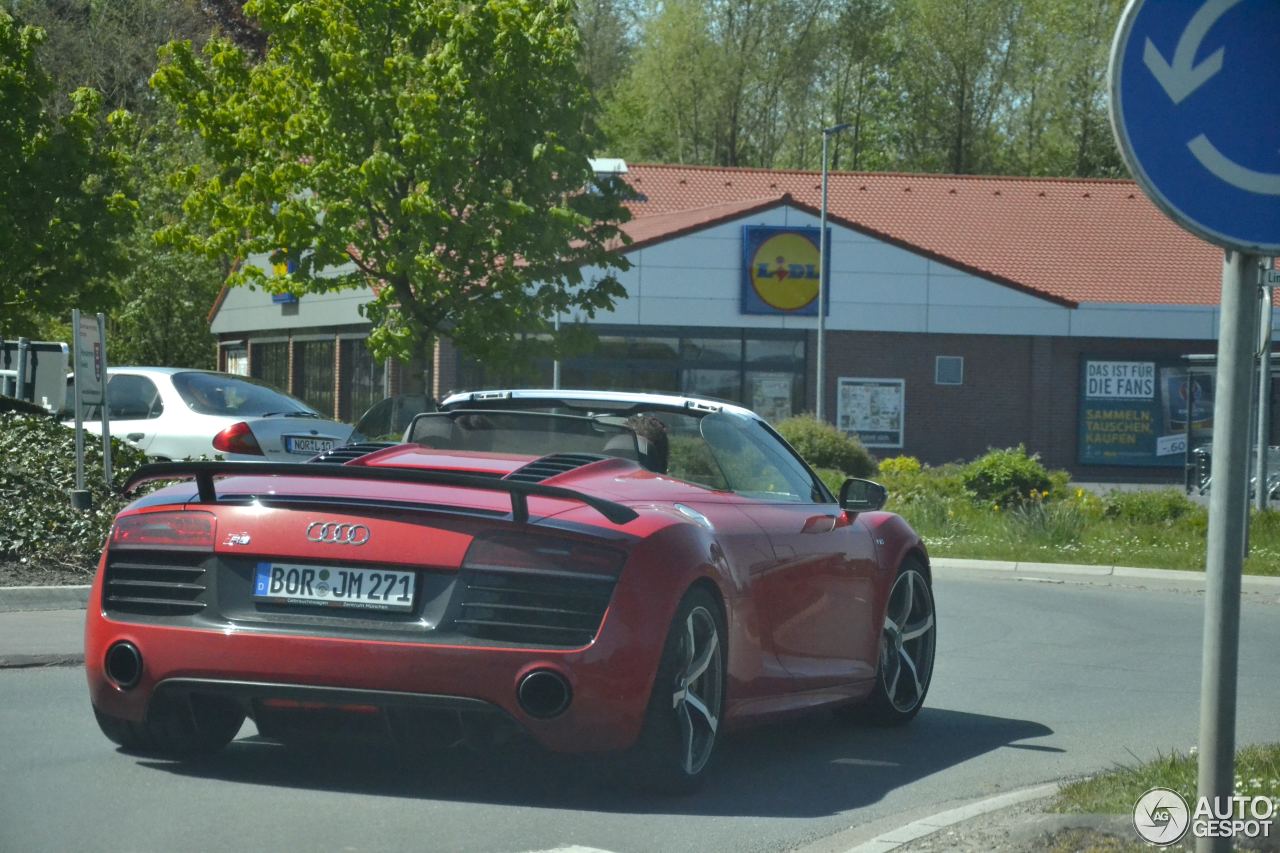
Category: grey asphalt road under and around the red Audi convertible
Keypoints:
(1035, 682)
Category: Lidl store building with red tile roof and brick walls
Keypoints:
(964, 313)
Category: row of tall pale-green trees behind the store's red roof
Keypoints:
(961, 86)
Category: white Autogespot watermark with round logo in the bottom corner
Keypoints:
(1163, 816)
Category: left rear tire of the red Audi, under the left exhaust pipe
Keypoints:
(177, 727)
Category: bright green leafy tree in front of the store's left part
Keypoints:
(435, 150)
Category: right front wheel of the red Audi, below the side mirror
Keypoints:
(908, 647)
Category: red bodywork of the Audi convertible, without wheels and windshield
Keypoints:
(803, 589)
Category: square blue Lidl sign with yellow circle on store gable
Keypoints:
(780, 271)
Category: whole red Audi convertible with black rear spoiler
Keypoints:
(605, 572)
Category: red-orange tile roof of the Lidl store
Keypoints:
(1068, 240)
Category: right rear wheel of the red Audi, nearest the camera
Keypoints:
(682, 724)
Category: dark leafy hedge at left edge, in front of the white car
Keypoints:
(38, 469)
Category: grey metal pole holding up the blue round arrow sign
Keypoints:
(1226, 556)
